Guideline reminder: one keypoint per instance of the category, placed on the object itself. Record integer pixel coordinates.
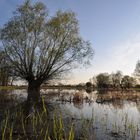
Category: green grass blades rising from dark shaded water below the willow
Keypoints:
(36, 125)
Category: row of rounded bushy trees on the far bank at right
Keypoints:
(114, 81)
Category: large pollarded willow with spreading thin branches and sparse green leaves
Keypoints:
(42, 47)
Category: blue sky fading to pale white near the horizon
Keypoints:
(112, 27)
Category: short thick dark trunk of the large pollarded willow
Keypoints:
(33, 91)
